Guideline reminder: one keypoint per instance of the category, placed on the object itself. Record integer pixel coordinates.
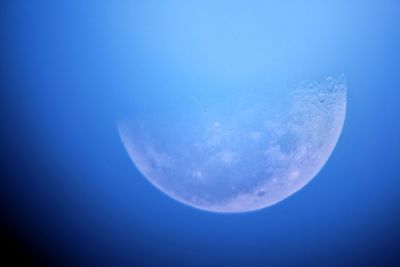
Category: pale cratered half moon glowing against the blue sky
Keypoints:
(240, 151)
